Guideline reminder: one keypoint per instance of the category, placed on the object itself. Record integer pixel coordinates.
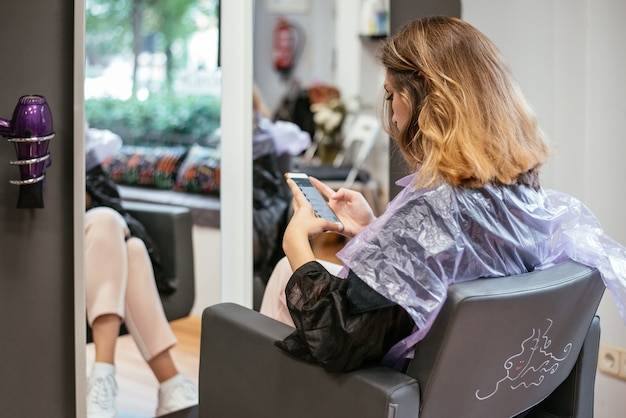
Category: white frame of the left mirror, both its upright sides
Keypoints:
(236, 120)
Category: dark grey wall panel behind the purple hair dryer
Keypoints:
(36, 245)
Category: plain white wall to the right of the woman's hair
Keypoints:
(568, 58)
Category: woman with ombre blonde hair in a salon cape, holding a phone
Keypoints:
(472, 208)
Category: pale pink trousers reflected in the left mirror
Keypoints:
(119, 280)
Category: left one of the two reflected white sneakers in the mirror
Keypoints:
(101, 391)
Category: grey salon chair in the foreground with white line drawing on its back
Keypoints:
(517, 346)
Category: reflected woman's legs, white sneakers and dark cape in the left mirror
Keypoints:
(120, 286)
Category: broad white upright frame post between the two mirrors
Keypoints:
(236, 35)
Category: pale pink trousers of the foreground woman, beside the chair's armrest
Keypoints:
(274, 302)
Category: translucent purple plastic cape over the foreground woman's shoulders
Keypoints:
(429, 238)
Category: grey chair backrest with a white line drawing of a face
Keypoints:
(500, 346)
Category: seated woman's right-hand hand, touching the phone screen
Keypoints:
(350, 207)
